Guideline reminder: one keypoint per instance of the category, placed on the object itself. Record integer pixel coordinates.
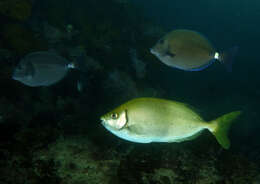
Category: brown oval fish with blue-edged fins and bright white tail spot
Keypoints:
(190, 51)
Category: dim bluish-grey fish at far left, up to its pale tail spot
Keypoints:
(42, 68)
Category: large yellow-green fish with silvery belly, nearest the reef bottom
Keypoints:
(146, 120)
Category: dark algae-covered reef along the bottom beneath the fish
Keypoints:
(51, 157)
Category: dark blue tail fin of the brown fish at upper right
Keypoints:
(228, 56)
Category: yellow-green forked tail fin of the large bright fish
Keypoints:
(221, 128)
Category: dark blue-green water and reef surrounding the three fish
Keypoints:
(53, 134)
